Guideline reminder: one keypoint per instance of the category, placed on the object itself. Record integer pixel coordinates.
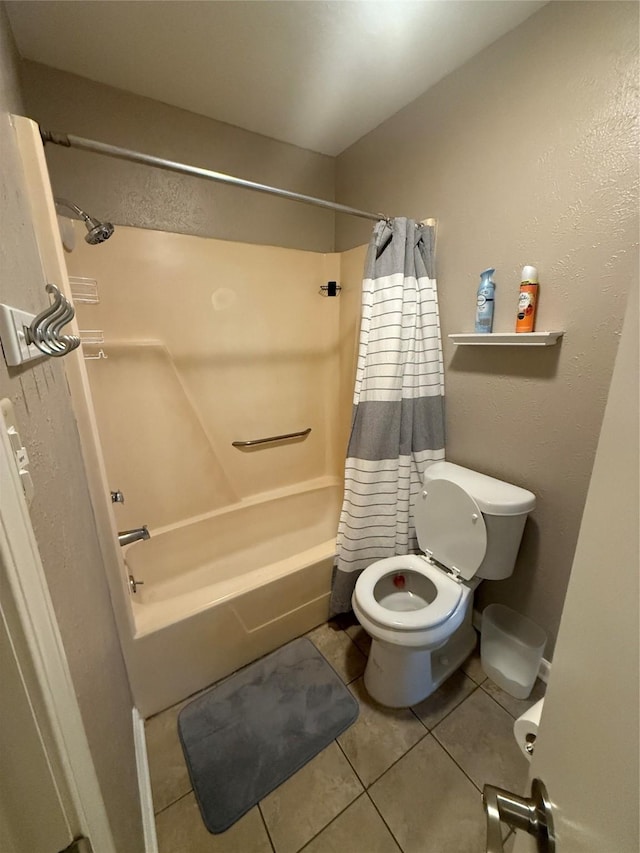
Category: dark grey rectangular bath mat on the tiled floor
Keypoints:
(247, 734)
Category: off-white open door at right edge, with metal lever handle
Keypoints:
(587, 749)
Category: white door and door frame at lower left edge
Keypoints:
(49, 791)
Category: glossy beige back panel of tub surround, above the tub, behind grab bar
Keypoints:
(209, 342)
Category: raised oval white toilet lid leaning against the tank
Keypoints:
(450, 527)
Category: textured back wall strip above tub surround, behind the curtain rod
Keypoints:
(130, 194)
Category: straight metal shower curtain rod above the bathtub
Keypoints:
(69, 141)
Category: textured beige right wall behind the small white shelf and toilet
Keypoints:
(526, 155)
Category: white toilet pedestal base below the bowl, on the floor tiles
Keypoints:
(401, 676)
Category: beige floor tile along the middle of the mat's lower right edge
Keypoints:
(303, 805)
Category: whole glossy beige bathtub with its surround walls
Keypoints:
(209, 342)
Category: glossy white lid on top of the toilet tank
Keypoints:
(494, 497)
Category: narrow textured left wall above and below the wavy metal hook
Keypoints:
(61, 512)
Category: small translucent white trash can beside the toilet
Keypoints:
(511, 648)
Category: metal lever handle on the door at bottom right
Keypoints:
(532, 814)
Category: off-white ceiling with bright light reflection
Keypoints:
(316, 74)
